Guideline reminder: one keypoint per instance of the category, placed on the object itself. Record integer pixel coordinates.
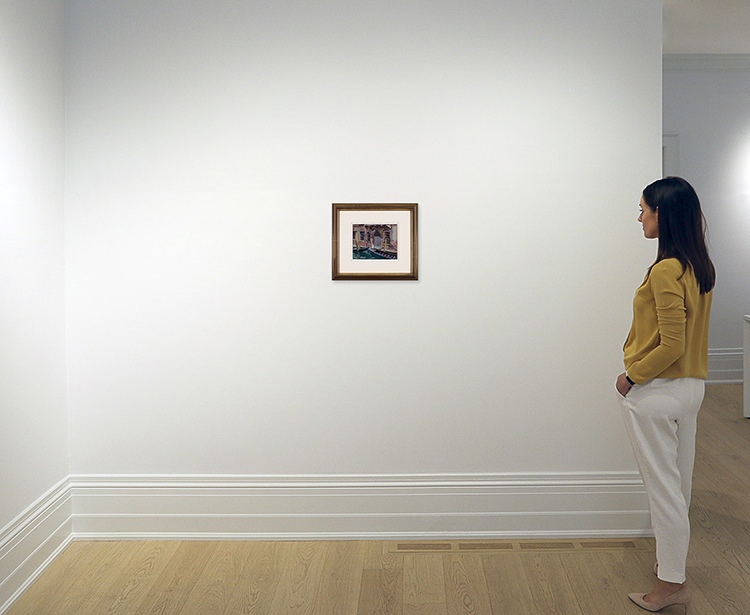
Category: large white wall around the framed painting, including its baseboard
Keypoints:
(207, 343)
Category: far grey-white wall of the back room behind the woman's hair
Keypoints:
(707, 120)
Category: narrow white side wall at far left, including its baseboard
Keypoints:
(33, 421)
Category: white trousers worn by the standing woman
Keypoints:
(660, 417)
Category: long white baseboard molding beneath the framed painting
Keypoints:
(359, 507)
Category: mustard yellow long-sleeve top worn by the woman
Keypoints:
(669, 334)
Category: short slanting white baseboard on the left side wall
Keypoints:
(33, 540)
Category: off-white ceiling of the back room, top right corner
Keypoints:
(706, 26)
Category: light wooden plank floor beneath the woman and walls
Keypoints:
(368, 578)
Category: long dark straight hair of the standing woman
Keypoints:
(682, 228)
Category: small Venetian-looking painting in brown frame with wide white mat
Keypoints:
(374, 241)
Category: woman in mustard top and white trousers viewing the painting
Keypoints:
(666, 362)
